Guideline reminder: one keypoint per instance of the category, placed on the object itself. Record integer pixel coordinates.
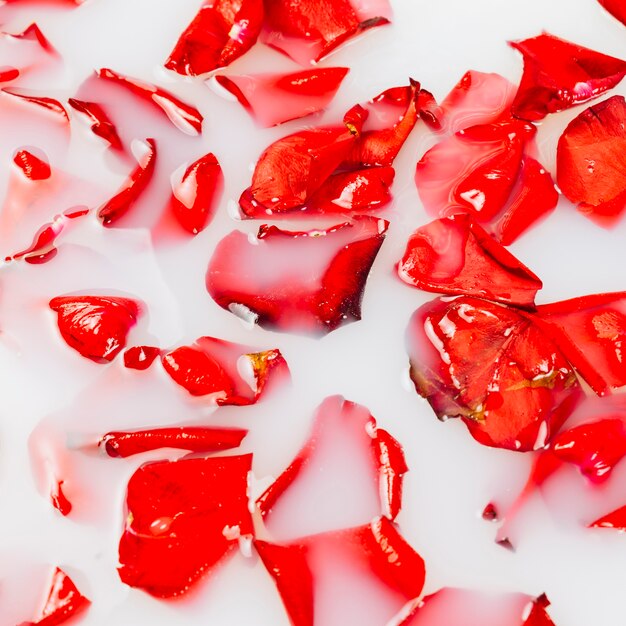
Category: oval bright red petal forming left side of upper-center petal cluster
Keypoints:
(293, 168)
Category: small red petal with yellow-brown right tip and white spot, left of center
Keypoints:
(212, 367)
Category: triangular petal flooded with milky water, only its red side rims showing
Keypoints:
(344, 453)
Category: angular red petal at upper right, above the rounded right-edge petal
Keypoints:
(559, 74)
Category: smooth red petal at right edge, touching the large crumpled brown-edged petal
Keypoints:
(591, 333)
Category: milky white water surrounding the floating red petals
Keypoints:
(451, 477)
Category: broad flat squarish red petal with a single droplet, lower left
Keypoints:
(183, 518)
